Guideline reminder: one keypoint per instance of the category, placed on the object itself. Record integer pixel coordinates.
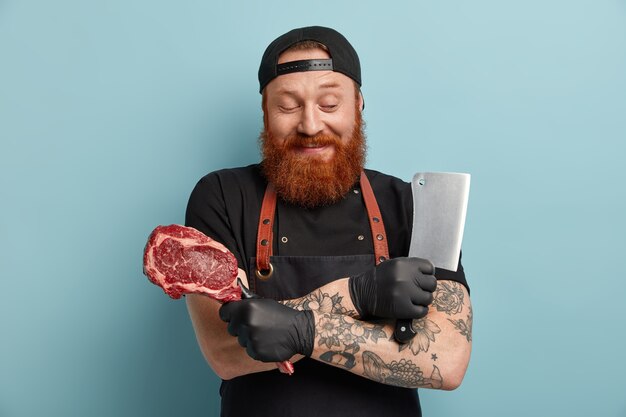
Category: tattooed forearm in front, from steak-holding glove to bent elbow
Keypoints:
(368, 349)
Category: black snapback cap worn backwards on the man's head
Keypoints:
(343, 57)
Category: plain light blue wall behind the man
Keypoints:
(111, 111)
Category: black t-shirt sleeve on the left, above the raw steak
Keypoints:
(206, 212)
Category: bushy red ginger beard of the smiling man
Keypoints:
(307, 181)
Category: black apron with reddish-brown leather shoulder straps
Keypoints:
(315, 389)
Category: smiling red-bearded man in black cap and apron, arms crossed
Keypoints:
(326, 255)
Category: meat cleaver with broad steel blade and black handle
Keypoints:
(439, 209)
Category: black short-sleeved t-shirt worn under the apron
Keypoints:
(225, 205)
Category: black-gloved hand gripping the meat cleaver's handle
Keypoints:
(400, 288)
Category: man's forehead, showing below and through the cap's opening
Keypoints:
(308, 81)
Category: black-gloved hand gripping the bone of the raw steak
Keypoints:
(270, 331)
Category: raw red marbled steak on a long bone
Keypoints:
(182, 260)
